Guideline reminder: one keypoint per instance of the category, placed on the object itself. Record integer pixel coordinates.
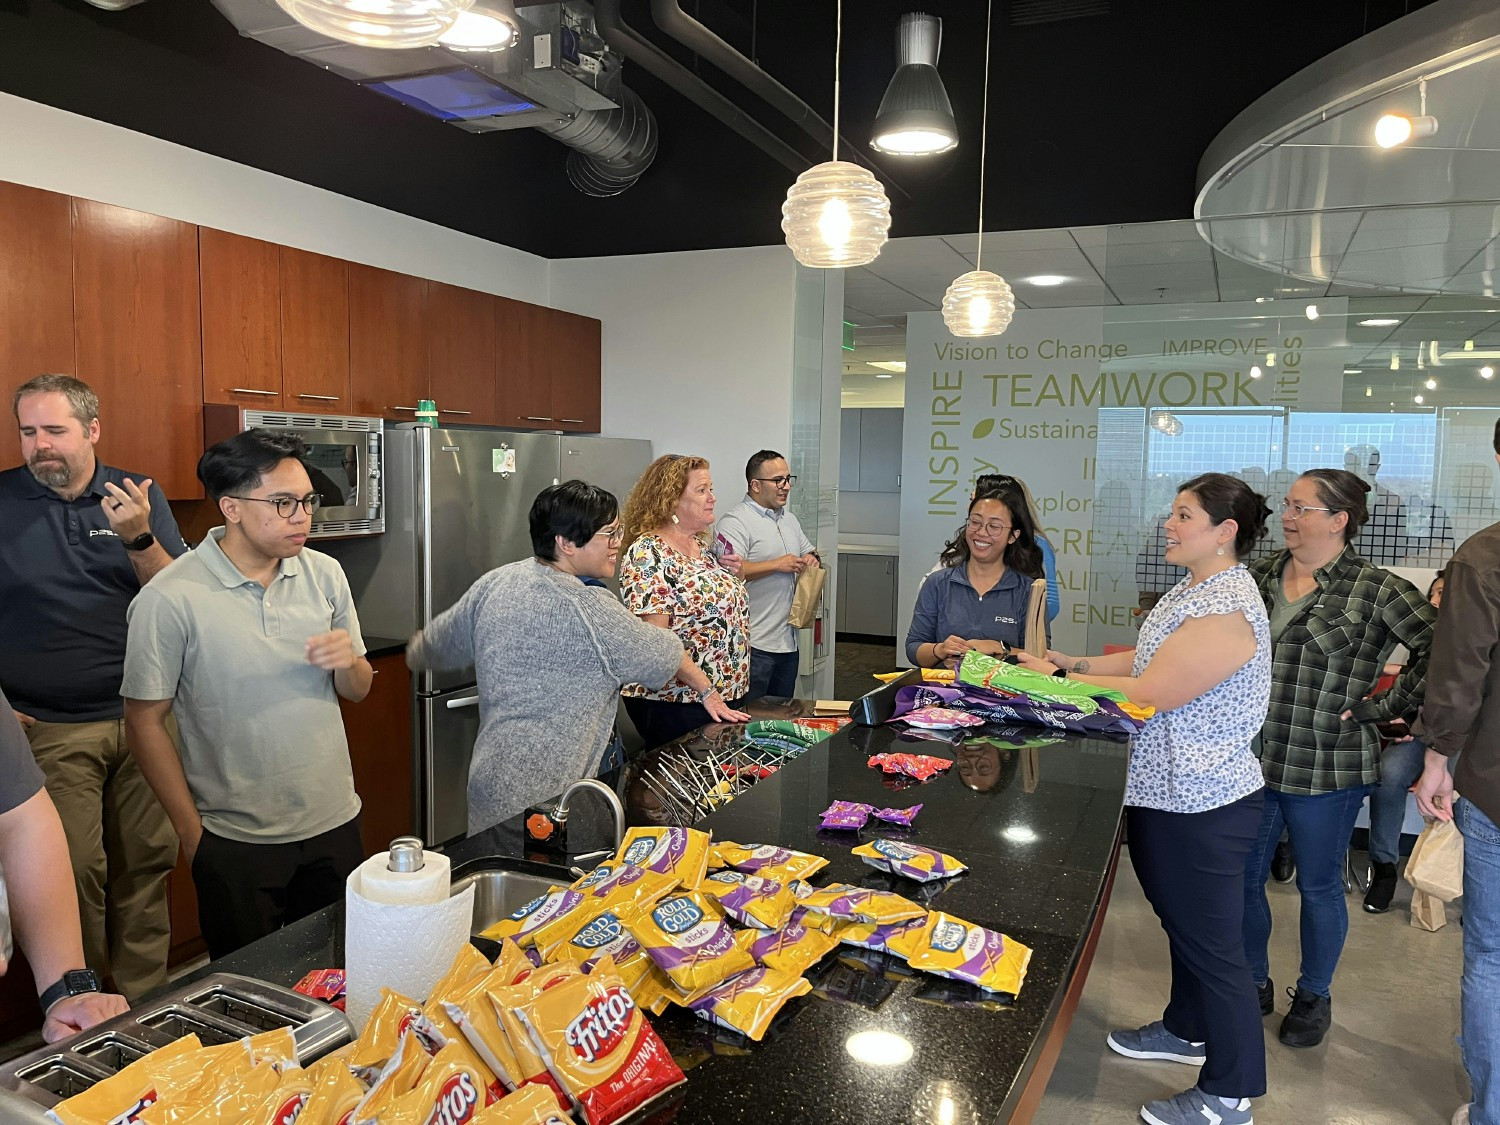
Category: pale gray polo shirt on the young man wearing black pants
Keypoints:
(263, 743)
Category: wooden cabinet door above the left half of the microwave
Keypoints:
(241, 289)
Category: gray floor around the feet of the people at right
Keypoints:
(1390, 1058)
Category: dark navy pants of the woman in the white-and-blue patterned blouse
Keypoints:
(1192, 868)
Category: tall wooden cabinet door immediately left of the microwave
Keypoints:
(139, 340)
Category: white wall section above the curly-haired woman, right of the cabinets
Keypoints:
(698, 350)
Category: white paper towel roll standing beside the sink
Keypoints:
(403, 947)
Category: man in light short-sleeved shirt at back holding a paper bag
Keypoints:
(770, 541)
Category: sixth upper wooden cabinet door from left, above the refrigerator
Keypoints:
(461, 350)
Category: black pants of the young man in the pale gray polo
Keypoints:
(247, 892)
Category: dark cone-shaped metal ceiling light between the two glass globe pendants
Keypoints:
(916, 116)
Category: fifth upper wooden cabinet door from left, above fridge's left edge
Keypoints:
(388, 343)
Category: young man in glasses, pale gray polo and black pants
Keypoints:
(251, 638)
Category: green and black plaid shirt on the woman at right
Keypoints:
(1327, 661)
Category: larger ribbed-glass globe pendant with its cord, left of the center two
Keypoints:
(836, 215)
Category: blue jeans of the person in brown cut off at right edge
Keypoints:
(1481, 1027)
